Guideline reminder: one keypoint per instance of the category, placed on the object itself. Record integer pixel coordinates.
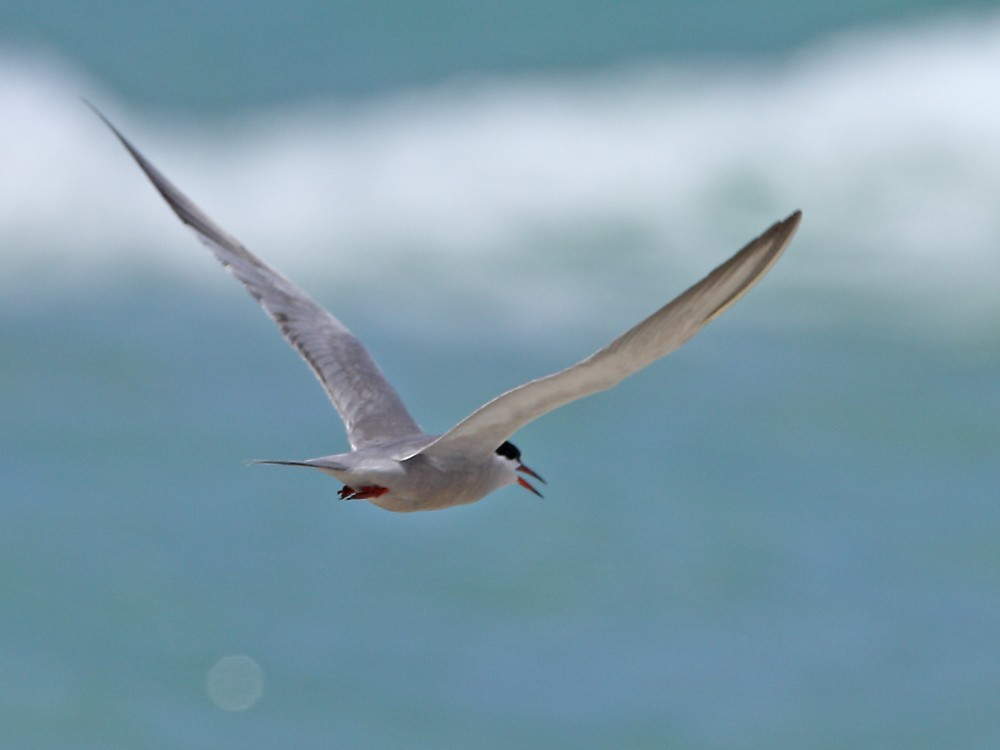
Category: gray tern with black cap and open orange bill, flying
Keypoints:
(392, 462)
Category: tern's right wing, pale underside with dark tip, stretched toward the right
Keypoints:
(486, 428)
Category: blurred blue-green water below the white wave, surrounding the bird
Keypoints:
(772, 539)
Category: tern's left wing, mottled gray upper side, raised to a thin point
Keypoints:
(366, 402)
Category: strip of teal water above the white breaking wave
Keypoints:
(233, 55)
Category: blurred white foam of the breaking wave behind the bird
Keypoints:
(890, 143)
